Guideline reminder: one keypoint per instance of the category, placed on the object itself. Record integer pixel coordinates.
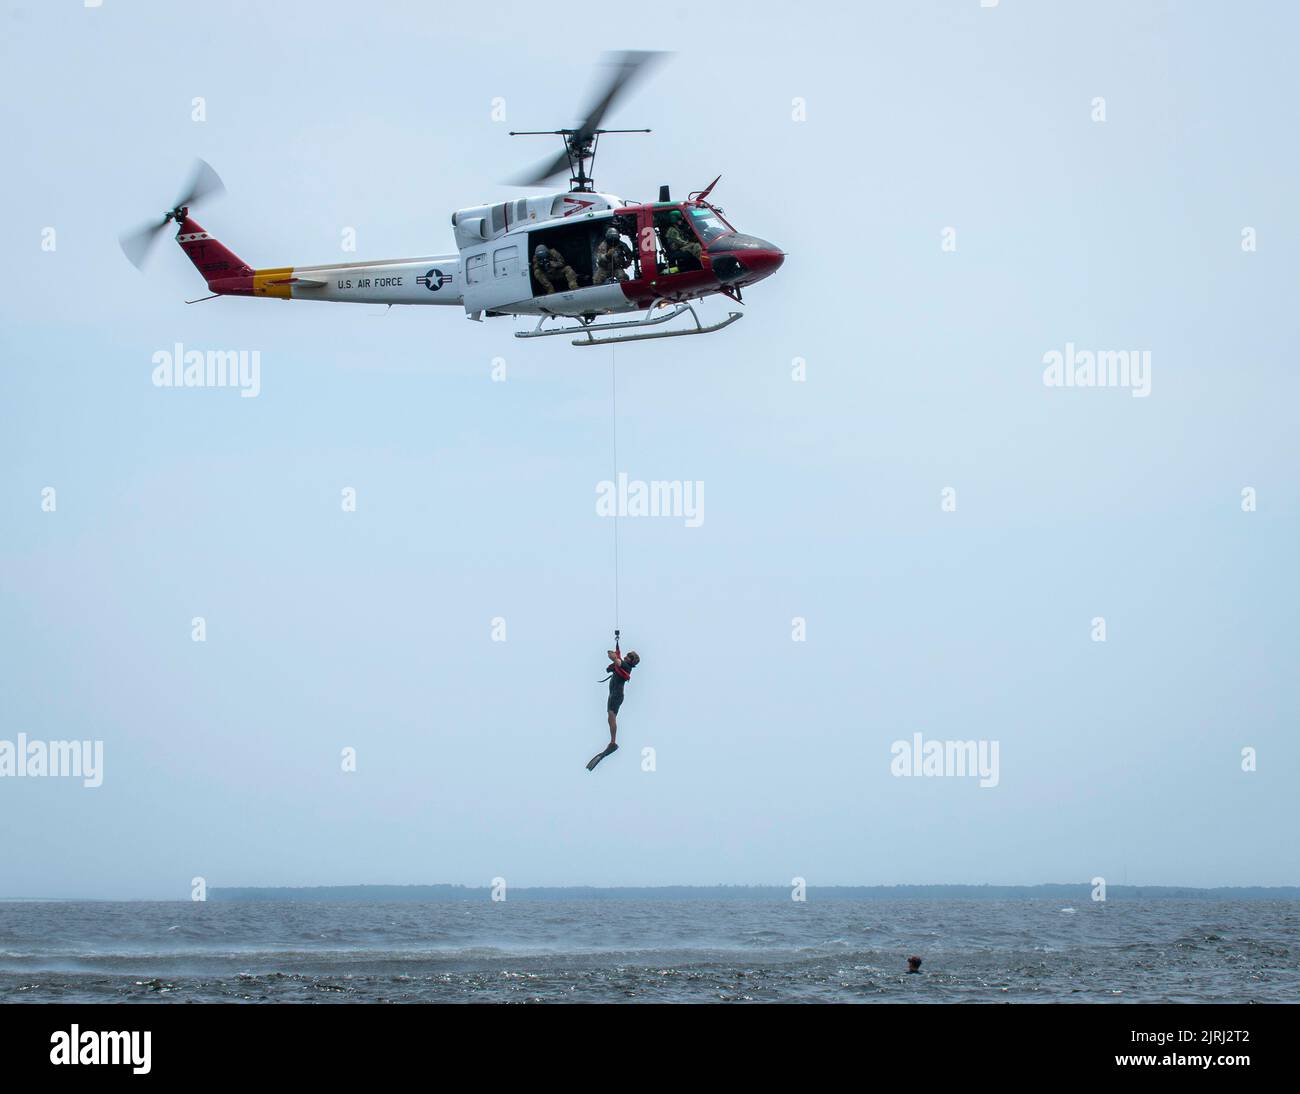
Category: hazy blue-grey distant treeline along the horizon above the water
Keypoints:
(445, 893)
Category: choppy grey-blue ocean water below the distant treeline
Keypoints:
(652, 952)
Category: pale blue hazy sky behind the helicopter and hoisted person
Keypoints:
(905, 531)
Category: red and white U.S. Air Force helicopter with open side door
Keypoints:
(493, 272)
